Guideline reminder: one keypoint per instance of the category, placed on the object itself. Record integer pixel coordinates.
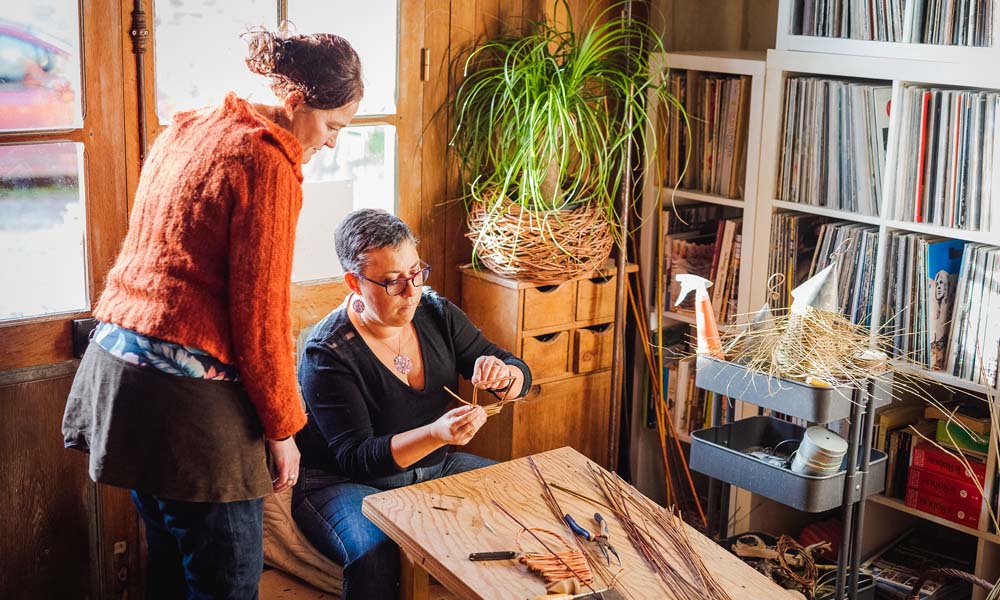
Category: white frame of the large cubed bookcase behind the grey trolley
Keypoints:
(890, 516)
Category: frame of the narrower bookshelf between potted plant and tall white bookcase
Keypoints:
(658, 195)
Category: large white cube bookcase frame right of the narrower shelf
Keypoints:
(839, 58)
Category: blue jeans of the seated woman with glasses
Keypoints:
(327, 510)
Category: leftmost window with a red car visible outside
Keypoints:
(42, 195)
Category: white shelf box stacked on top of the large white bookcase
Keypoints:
(786, 40)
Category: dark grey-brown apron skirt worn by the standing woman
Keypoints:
(171, 436)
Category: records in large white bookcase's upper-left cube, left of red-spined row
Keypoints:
(835, 136)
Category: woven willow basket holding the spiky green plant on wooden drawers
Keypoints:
(539, 246)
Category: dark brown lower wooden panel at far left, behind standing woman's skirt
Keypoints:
(48, 521)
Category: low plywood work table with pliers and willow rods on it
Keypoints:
(438, 542)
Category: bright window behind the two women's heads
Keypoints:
(361, 170)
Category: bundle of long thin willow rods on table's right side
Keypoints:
(695, 582)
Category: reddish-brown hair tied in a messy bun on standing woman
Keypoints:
(322, 66)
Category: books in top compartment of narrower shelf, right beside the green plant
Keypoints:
(708, 151)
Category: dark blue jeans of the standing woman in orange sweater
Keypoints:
(202, 550)
